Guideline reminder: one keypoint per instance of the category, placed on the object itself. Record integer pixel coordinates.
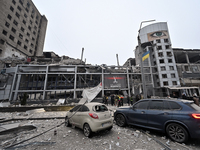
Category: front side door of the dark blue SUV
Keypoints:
(137, 115)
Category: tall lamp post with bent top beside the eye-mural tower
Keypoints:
(141, 63)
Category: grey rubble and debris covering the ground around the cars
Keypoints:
(129, 138)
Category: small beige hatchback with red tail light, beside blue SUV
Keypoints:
(91, 117)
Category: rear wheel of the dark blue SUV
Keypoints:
(177, 132)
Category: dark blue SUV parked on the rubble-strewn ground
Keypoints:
(180, 119)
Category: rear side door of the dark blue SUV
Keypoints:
(158, 113)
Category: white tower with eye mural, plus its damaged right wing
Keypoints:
(166, 69)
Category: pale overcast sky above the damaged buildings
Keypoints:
(105, 28)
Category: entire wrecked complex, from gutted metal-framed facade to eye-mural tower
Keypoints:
(157, 70)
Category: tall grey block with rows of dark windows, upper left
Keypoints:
(22, 29)
